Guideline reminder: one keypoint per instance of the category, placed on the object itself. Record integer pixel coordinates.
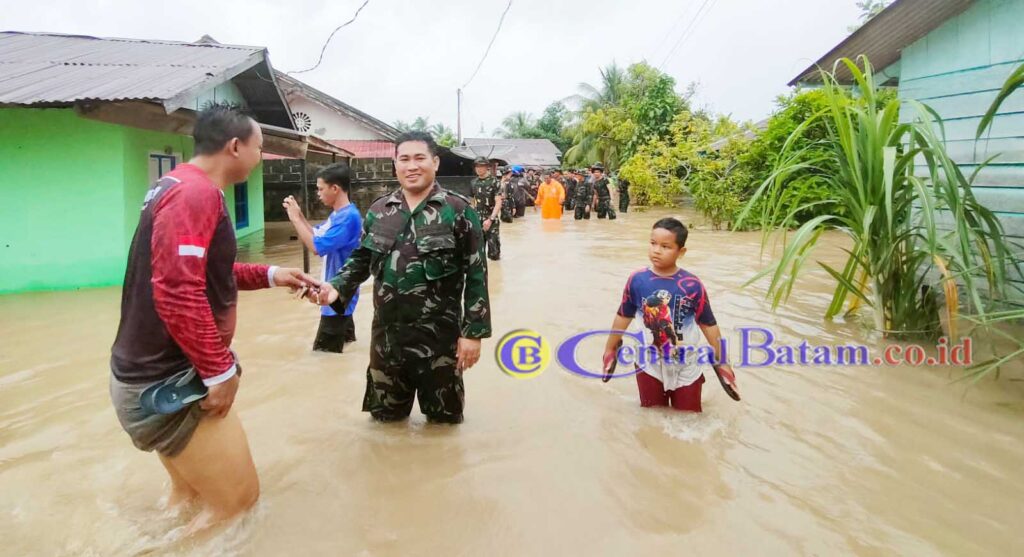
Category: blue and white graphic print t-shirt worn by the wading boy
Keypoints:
(669, 311)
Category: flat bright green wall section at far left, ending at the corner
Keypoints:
(62, 201)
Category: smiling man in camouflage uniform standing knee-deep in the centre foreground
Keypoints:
(424, 247)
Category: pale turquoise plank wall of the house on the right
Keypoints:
(958, 70)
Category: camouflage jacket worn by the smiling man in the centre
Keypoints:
(431, 276)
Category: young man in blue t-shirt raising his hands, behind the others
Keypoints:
(334, 240)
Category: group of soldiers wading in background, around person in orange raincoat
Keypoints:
(505, 198)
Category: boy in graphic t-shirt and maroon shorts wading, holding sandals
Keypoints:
(675, 312)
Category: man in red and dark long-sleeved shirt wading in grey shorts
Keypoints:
(179, 314)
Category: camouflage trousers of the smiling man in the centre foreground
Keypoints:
(393, 382)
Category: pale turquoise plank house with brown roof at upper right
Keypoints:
(954, 56)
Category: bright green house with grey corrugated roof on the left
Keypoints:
(88, 124)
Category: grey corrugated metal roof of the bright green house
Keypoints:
(46, 69)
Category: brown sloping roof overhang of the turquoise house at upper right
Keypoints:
(884, 37)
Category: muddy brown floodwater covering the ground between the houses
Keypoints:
(815, 461)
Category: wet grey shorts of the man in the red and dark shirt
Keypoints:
(167, 435)
